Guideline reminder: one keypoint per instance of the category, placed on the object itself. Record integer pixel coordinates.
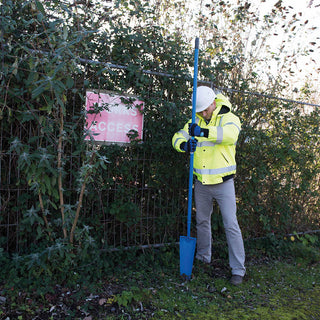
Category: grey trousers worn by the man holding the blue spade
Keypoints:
(224, 194)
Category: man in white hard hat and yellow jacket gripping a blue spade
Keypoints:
(216, 132)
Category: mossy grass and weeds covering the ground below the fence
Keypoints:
(139, 285)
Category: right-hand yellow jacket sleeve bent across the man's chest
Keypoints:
(228, 131)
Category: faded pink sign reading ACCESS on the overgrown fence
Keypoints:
(117, 115)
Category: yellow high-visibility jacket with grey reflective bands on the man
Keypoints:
(214, 158)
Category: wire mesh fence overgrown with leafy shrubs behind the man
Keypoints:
(138, 198)
